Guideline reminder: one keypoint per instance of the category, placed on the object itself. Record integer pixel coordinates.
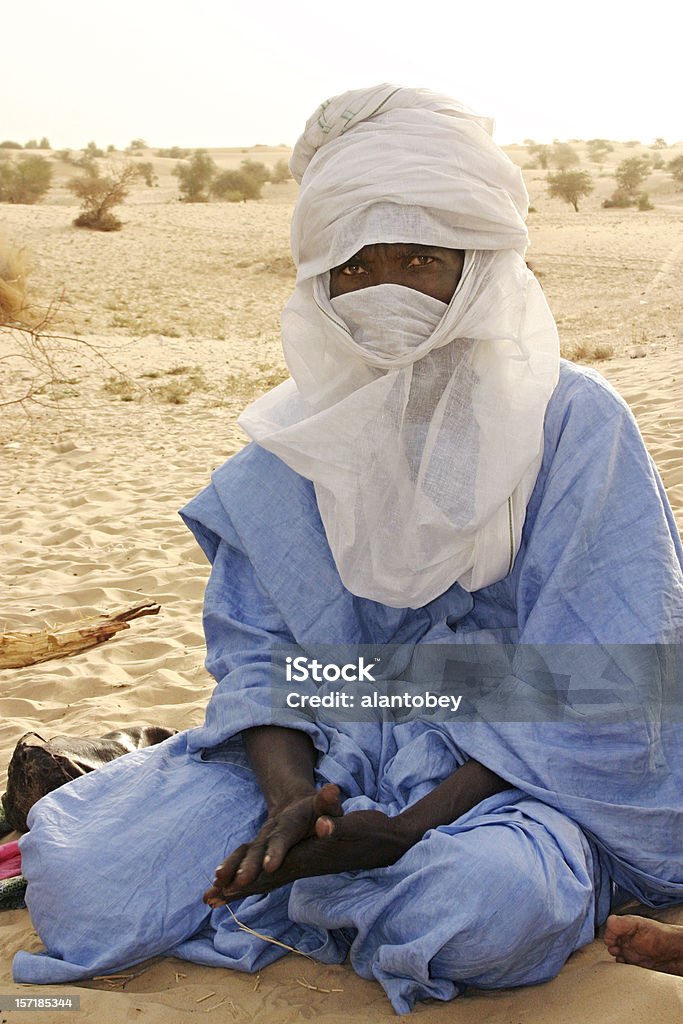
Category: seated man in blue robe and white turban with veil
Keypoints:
(433, 478)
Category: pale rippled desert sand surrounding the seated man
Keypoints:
(167, 330)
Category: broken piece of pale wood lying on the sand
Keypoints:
(20, 650)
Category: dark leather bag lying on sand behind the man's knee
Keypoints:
(38, 765)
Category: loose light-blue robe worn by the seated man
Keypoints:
(501, 897)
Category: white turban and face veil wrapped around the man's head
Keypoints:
(419, 424)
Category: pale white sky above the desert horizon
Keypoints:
(222, 73)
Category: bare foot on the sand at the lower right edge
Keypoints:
(646, 944)
